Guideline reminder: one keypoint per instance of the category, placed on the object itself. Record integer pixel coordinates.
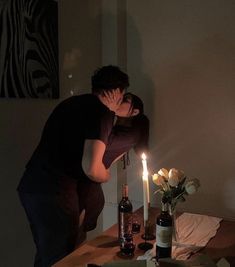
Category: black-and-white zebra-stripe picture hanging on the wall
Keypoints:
(29, 49)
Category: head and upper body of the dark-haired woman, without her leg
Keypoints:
(131, 130)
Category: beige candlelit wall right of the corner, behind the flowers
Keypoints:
(181, 62)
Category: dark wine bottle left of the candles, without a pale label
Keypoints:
(125, 235)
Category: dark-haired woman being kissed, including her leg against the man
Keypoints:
(131, 130)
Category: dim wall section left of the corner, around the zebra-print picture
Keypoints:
(21, 121)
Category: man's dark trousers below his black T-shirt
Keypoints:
(54, 221)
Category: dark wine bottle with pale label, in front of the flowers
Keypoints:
(164, 233)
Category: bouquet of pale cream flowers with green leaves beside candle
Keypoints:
(174, 186)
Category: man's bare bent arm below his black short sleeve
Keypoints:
(92, 161)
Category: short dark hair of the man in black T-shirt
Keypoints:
(108, 78)
